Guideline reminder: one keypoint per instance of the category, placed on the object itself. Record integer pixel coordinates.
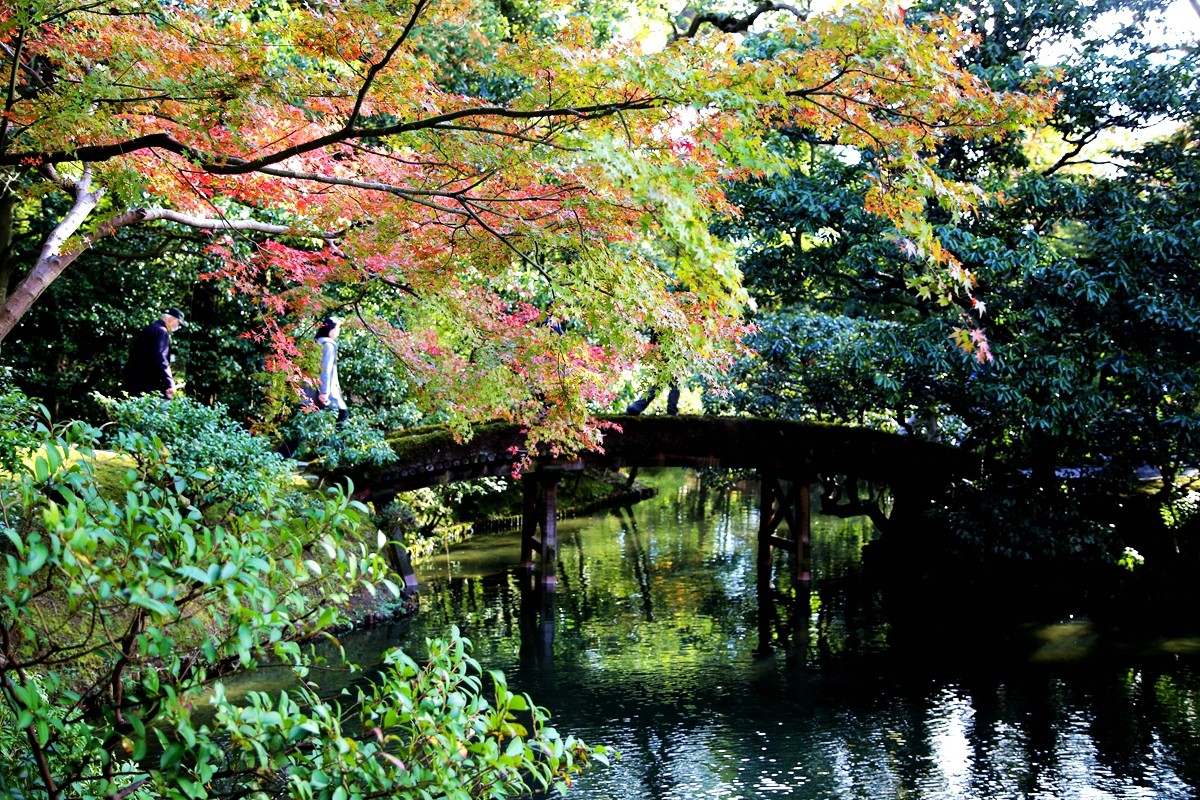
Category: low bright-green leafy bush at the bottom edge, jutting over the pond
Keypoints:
(430, 733)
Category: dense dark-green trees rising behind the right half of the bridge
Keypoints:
(1084, 282)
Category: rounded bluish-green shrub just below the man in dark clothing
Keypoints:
(197, 449)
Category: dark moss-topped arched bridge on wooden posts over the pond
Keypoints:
(789, 458)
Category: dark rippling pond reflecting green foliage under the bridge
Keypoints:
(655, 646)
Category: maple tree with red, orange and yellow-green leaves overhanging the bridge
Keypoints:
(518, 242)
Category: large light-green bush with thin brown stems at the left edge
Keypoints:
(117, 609)
